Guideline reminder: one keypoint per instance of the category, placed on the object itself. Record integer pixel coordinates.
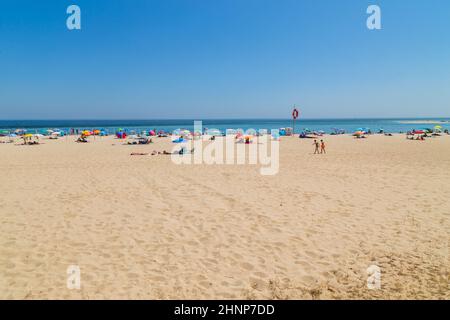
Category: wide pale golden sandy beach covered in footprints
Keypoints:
(141, 227)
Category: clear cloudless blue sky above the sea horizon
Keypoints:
(223, 59)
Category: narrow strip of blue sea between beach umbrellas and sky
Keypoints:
(326, 125)
